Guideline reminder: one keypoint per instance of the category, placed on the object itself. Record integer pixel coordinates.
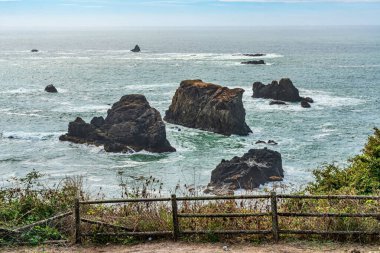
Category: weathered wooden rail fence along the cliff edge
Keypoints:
(176, 231)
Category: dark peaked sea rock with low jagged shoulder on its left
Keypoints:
(131, 125)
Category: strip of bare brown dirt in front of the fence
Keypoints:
(163, 247)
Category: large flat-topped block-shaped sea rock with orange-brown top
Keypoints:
(208, 107)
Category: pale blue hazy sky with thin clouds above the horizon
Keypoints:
(105, 13)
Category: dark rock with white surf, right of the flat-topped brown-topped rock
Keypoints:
(283, 90)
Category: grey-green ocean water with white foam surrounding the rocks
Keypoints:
(338, 67)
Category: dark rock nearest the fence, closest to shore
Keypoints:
(253, 169)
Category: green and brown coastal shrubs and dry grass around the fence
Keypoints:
(29, 200)
